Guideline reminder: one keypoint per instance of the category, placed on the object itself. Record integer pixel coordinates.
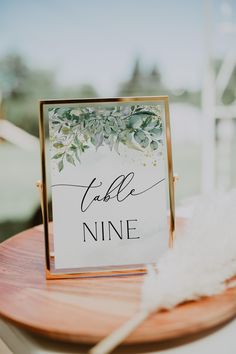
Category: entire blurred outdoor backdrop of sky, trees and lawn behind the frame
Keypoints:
(74, 49)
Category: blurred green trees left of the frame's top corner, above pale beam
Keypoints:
(22, 87)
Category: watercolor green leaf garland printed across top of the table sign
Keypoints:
(75, 130)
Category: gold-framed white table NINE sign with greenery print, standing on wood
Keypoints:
(107, 168)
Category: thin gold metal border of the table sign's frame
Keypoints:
(51, 272)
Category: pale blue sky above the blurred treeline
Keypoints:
(97, 41)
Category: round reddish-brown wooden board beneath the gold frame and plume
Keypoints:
(87, 310)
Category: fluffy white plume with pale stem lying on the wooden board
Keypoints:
(198, 265)
